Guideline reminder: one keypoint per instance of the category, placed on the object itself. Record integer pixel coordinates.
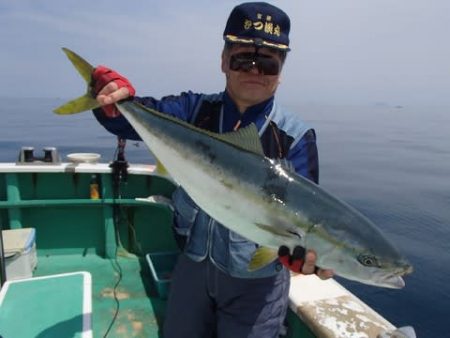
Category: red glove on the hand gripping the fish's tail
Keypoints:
(101, 76)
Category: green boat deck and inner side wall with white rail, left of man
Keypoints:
(77, 233)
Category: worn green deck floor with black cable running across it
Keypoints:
(140, 309)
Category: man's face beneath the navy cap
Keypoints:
(249, 85)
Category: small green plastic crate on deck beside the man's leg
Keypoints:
(161, 266)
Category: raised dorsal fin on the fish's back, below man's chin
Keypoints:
(246, 138)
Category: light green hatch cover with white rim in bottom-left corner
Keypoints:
(65, 311)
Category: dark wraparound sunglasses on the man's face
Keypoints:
(245, 62)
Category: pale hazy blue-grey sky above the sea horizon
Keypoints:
(343, 51)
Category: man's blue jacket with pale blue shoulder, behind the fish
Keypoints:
(283, 135)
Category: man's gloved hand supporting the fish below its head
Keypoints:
(302, 262)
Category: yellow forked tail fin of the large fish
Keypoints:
(86, 101)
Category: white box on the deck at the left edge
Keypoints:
(20, 253)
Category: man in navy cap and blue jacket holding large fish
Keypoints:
(212, 292)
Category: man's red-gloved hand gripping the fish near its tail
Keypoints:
(110, 87)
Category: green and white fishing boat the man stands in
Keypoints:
(98, 249)
